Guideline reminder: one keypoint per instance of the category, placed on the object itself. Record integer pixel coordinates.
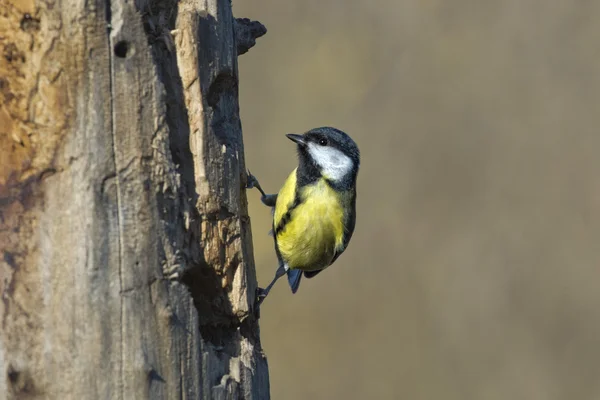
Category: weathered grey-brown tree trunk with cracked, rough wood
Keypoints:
(127, 267)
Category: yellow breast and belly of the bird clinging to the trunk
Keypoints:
(311, 224)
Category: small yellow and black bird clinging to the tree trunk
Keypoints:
(314, 212)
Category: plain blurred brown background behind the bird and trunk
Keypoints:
(474, 272)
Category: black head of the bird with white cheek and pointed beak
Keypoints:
(327, 152)
